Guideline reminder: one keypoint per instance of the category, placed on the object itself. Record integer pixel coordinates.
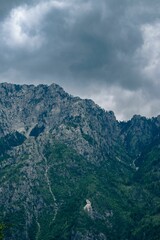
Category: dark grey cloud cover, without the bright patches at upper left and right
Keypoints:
(86, 44)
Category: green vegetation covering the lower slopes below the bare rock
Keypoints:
(125, 202)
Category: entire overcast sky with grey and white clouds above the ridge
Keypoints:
(106, 50)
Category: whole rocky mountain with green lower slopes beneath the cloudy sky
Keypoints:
(70, 171)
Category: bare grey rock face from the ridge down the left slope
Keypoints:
(42, 115)
